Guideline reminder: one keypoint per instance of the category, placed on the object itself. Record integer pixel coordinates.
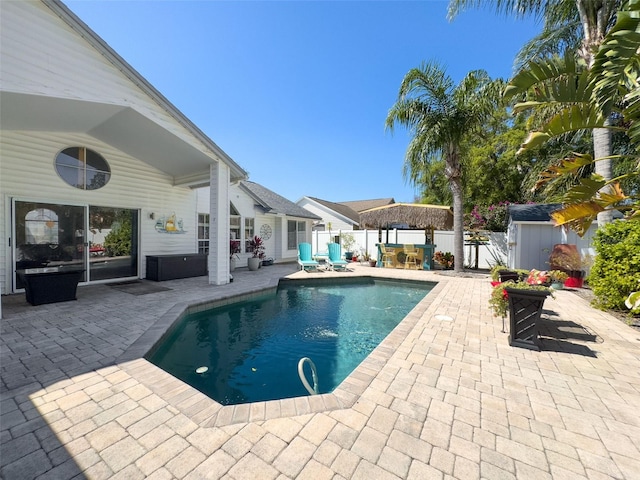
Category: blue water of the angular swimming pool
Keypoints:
(251, 349)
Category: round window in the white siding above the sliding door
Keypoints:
(83, 168)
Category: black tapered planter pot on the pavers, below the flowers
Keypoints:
(525, 307)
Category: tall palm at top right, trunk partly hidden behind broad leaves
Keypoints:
(562, 20)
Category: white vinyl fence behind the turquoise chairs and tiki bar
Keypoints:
(366, 240)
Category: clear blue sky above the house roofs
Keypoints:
(297, 92)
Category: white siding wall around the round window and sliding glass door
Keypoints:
(27, 172)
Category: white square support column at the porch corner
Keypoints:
(219, 224)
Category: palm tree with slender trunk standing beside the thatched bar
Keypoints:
(439, 116)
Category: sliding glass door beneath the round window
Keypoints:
(102, 241)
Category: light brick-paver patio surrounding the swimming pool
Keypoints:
(441, 398)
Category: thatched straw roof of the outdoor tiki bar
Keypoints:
(416, 215)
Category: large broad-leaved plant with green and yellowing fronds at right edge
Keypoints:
(611, 86)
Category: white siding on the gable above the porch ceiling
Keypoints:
(45, 57)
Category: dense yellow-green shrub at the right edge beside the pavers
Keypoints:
(616, 269)
